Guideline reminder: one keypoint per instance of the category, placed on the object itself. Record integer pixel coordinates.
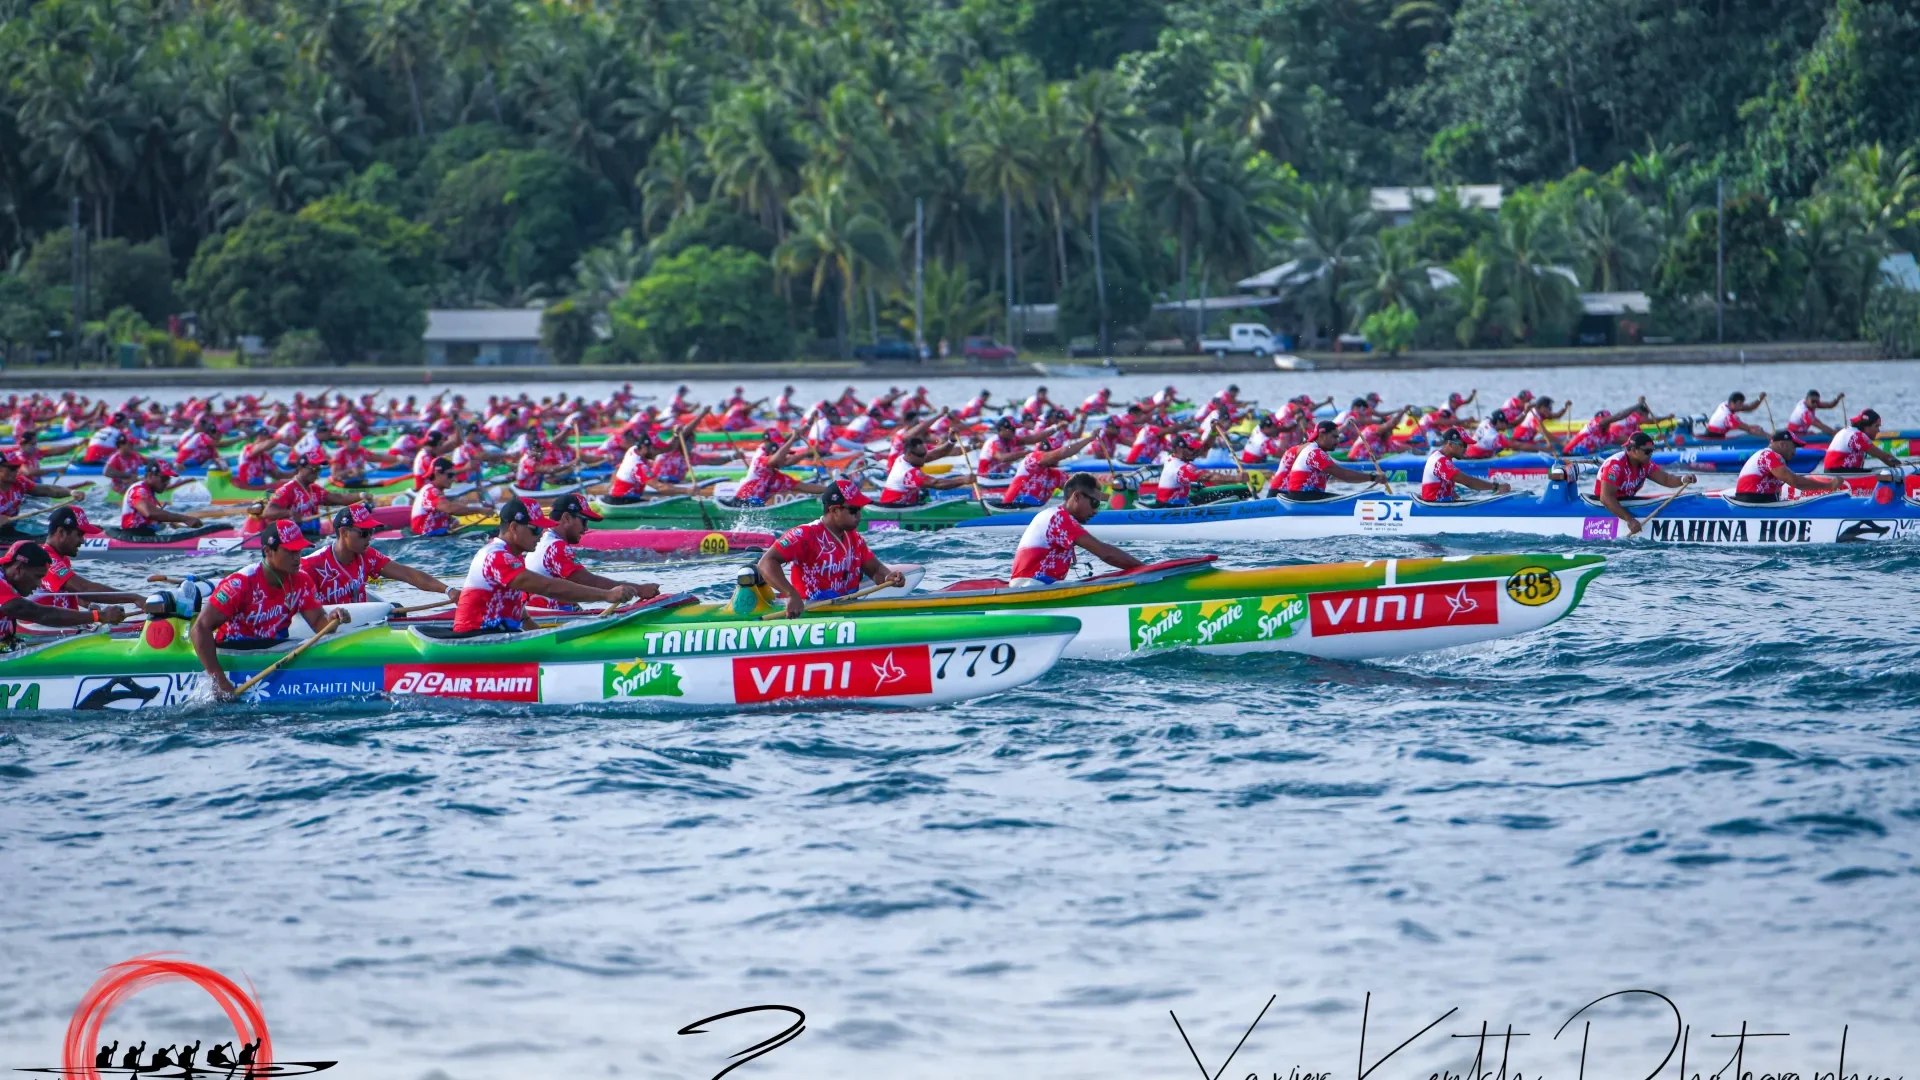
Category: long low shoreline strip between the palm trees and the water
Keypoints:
(423, 376)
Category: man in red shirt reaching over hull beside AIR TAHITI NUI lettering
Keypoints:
(254, 606)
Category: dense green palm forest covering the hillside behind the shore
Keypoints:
(333, 168)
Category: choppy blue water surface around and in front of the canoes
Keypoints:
(1702, 783)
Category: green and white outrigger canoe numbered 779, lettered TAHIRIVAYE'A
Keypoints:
(740, 662)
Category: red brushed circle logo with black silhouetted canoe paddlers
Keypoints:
(249, 1056)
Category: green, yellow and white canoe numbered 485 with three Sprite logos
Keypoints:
(1381, 608)
